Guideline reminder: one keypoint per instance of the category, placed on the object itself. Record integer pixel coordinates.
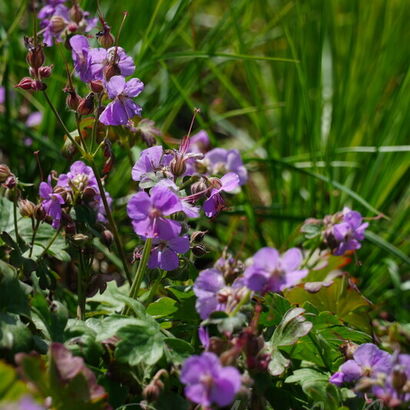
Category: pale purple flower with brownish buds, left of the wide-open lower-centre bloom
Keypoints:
(214, 295)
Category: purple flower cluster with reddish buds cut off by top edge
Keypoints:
(57, 21)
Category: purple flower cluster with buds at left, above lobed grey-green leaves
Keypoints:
(79, 185)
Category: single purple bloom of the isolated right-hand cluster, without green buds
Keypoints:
(349, 232)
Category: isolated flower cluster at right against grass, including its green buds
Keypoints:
(340, 232)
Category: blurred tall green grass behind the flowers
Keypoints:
(315, 94)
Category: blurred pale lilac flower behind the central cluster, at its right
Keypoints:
(220, 161)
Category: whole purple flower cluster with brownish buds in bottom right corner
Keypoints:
(377, 373)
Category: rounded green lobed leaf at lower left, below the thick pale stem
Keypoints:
(140, 343)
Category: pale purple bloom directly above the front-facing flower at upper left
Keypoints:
(102, 58)
